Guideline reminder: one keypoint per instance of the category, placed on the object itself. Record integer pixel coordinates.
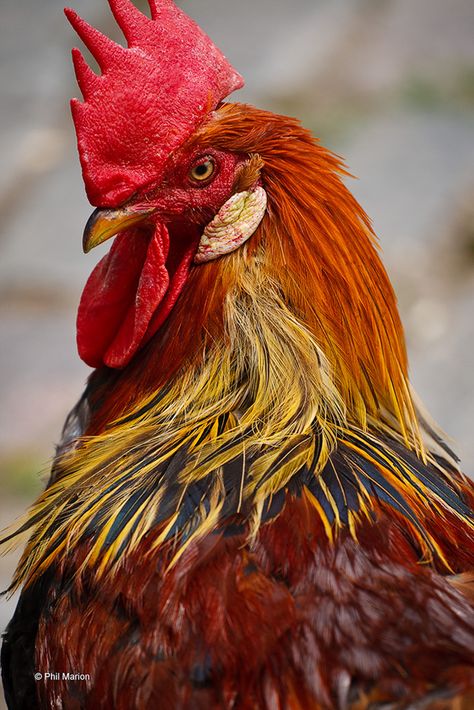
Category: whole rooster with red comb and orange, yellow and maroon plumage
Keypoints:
(248, 508)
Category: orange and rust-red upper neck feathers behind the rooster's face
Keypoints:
(316, 248)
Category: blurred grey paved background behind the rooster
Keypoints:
(388, 84)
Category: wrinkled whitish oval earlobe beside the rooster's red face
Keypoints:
(233, 225)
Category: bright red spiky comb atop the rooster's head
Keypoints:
(149, 99)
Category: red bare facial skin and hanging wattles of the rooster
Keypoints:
(134, 287)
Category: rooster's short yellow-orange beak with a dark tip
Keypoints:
(105, 223)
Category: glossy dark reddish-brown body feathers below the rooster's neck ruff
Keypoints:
(291, 622)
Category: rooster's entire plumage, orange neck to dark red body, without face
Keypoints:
(260, 472)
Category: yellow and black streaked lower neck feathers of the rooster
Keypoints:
(226, 444)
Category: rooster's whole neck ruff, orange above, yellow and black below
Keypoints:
(282, 362)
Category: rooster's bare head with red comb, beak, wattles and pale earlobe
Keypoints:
(171, 201)
